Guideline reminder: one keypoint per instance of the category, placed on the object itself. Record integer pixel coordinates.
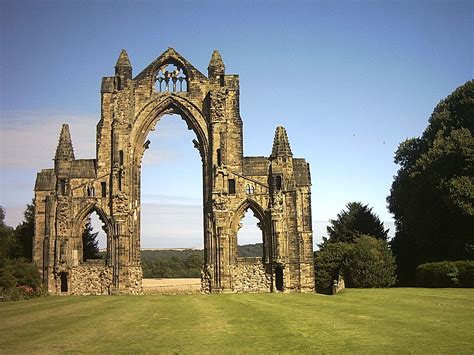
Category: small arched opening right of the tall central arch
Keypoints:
(250, 237)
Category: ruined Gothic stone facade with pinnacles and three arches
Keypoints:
(275, 188)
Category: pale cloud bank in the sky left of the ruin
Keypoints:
(28, 141)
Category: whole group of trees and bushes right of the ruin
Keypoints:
(432, 201)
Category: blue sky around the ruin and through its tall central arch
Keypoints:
(349, 80)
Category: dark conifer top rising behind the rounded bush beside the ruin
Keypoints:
(357, 220)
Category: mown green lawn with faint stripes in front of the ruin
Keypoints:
(369, 321)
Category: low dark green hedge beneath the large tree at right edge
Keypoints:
(446, 274)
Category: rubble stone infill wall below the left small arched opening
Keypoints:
(90, 278)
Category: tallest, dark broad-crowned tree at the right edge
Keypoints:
(432, 195)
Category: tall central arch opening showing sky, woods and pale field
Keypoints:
(171, 219)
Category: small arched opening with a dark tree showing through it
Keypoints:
(94, 239)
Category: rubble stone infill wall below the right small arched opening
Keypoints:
(249, 275)
